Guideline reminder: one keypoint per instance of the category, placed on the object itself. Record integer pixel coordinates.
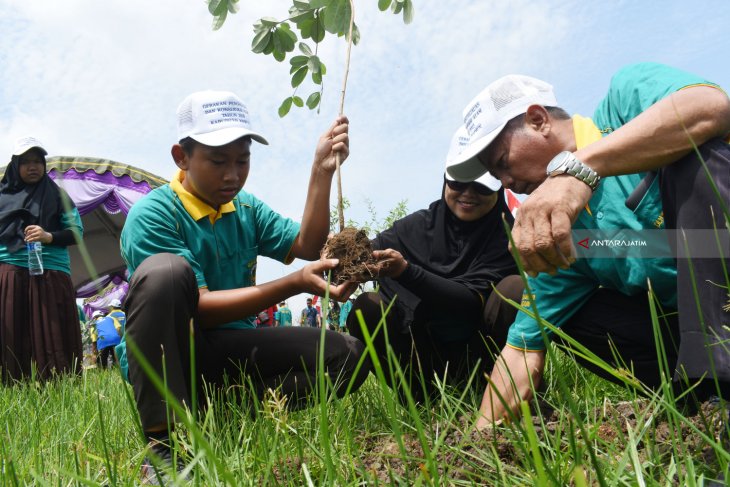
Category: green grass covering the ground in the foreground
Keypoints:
(83, 431)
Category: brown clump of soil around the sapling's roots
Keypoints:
(352, 247)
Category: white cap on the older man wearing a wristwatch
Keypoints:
(487, 114)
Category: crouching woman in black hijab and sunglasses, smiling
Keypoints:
(437, 268)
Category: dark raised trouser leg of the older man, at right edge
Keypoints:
(690, 203)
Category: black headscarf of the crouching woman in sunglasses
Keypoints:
(473, 253)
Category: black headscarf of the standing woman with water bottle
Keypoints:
(27, 204)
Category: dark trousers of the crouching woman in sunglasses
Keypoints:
(419, 353)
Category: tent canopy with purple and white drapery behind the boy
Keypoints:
(103, 191)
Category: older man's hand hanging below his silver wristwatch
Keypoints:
(542, 229)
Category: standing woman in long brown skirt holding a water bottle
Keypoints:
(39, 324)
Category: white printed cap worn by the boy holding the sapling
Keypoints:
(214, 118)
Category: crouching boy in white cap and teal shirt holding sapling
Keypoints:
(191, 248)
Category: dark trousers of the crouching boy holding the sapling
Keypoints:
(161, 305)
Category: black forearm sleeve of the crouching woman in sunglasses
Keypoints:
(437, 290)
